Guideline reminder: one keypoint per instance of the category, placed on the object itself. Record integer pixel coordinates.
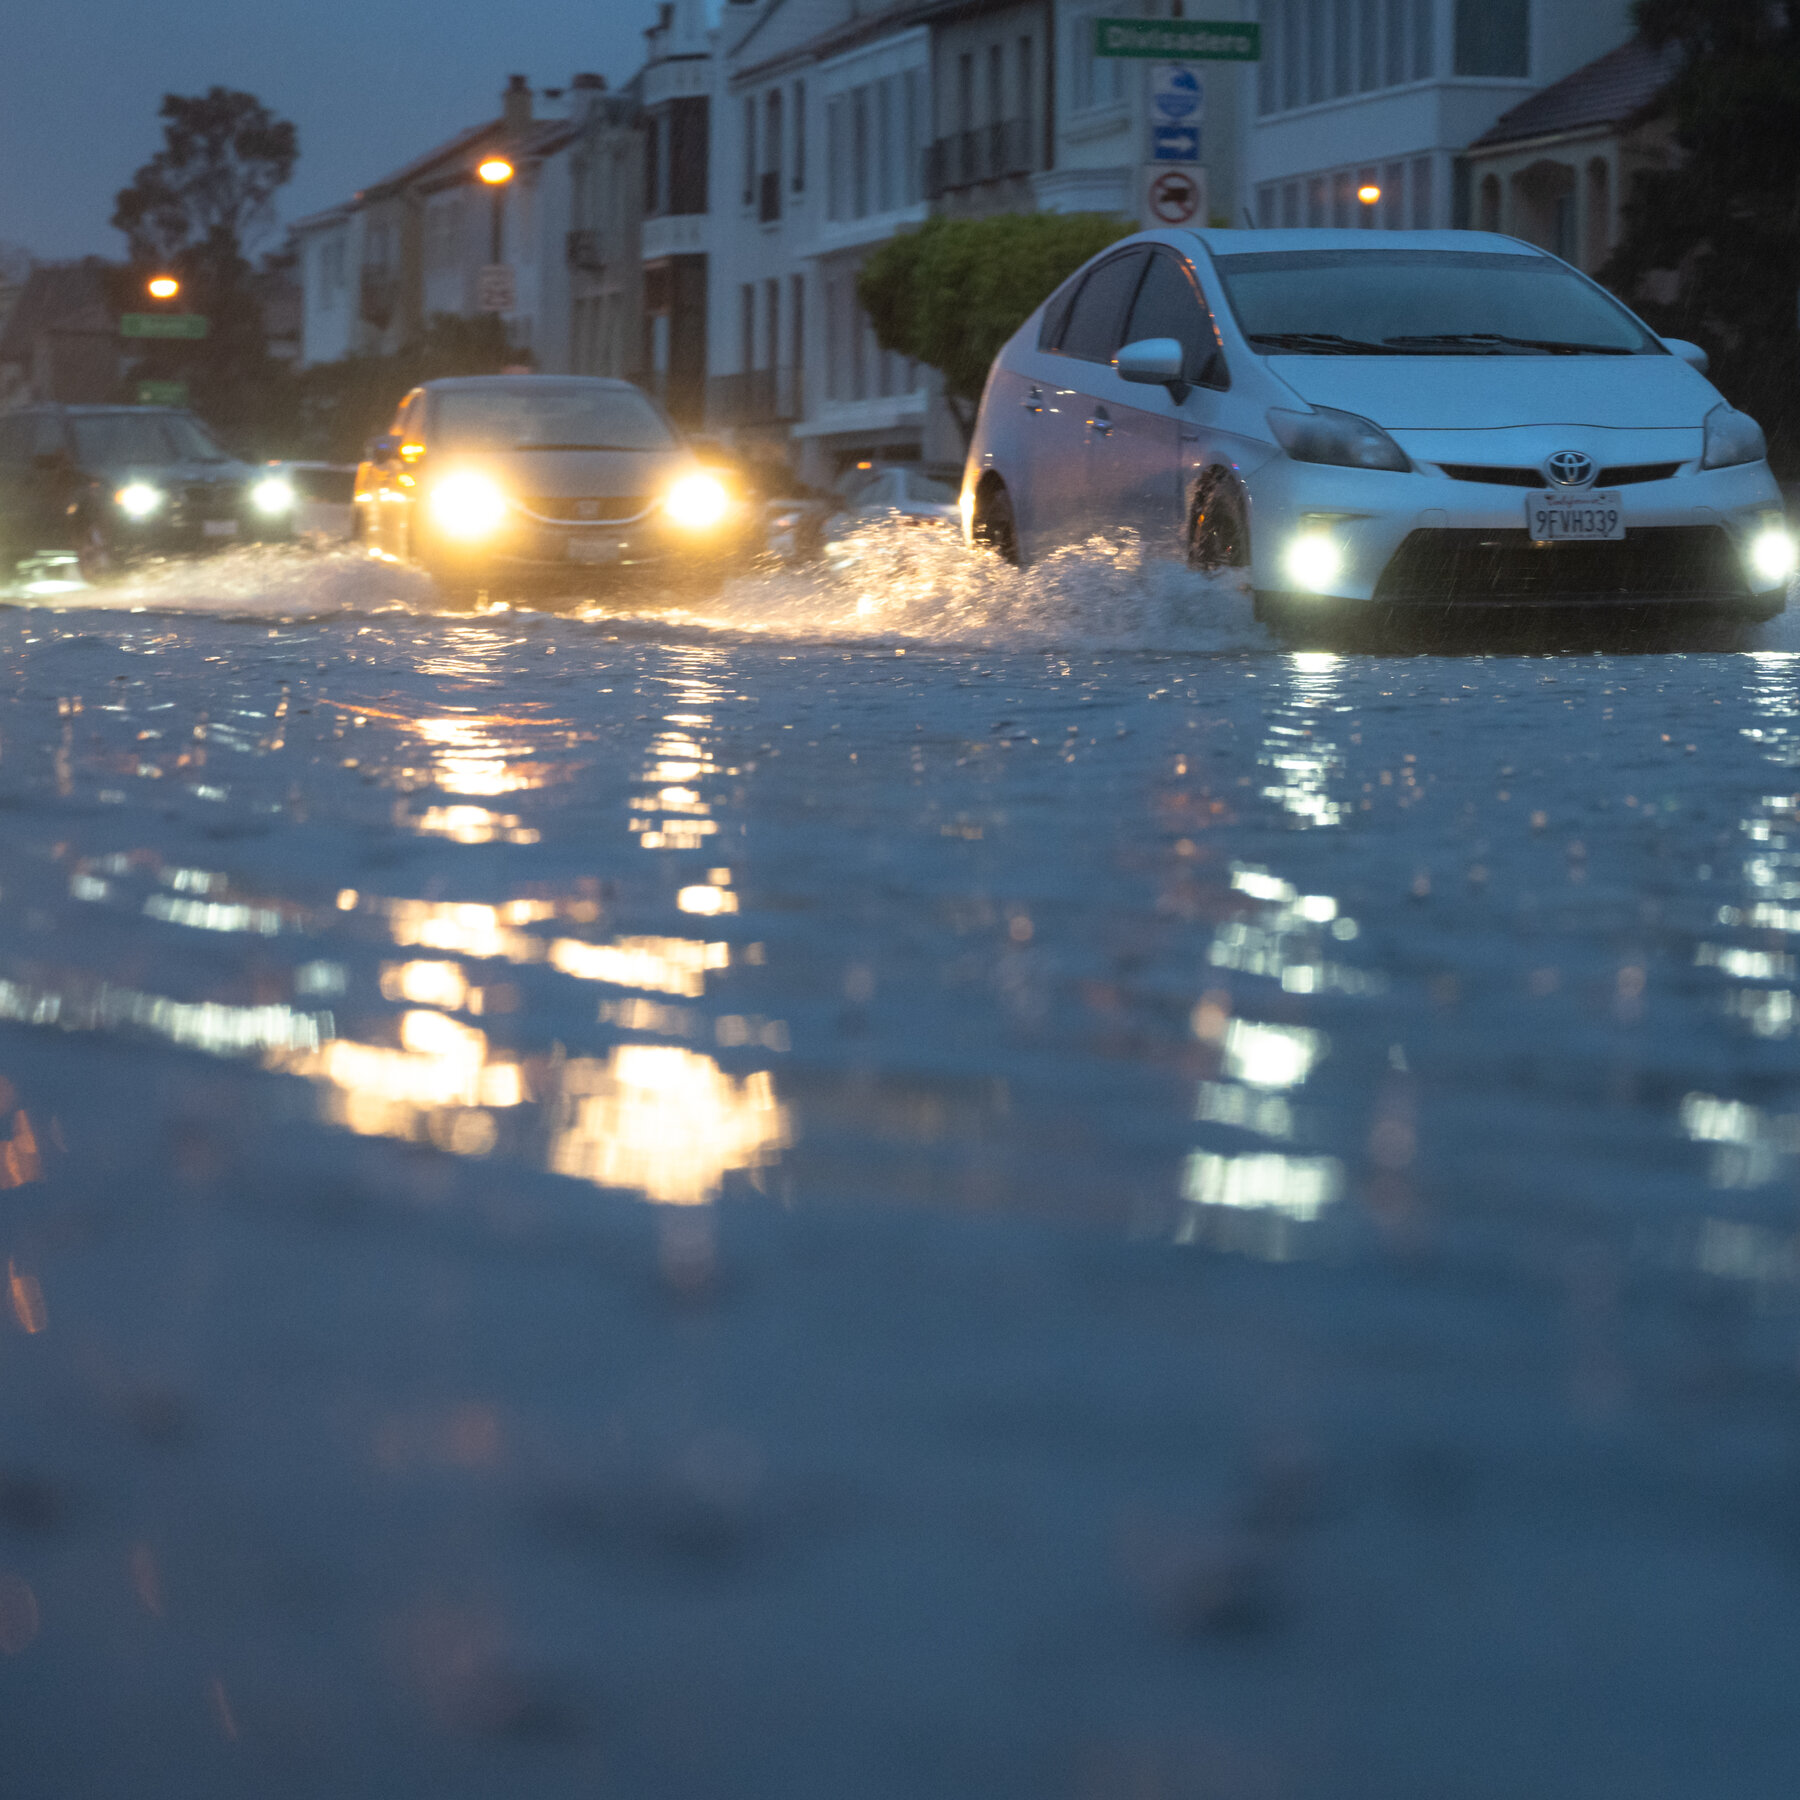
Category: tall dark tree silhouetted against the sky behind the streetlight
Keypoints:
(197, 210)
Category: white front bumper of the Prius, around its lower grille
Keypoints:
(1421, 541)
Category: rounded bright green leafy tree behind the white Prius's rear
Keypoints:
(951, 292)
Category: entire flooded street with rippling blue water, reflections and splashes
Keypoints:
(1196, 1185)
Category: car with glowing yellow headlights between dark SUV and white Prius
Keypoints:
(546, 483)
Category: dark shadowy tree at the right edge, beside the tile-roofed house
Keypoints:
(1713, 244)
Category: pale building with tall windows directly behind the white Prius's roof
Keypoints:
(1389, 94)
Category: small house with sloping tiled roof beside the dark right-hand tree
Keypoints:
(1556, 168)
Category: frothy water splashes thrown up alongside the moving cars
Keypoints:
(890, 584)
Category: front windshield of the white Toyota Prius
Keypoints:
(1425, 303)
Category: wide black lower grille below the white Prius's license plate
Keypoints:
(1506, 568)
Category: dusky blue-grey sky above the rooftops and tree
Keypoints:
(370, 84)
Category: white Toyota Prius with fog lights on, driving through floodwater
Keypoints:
(1376, 420)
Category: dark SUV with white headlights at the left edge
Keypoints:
(114, 483)
